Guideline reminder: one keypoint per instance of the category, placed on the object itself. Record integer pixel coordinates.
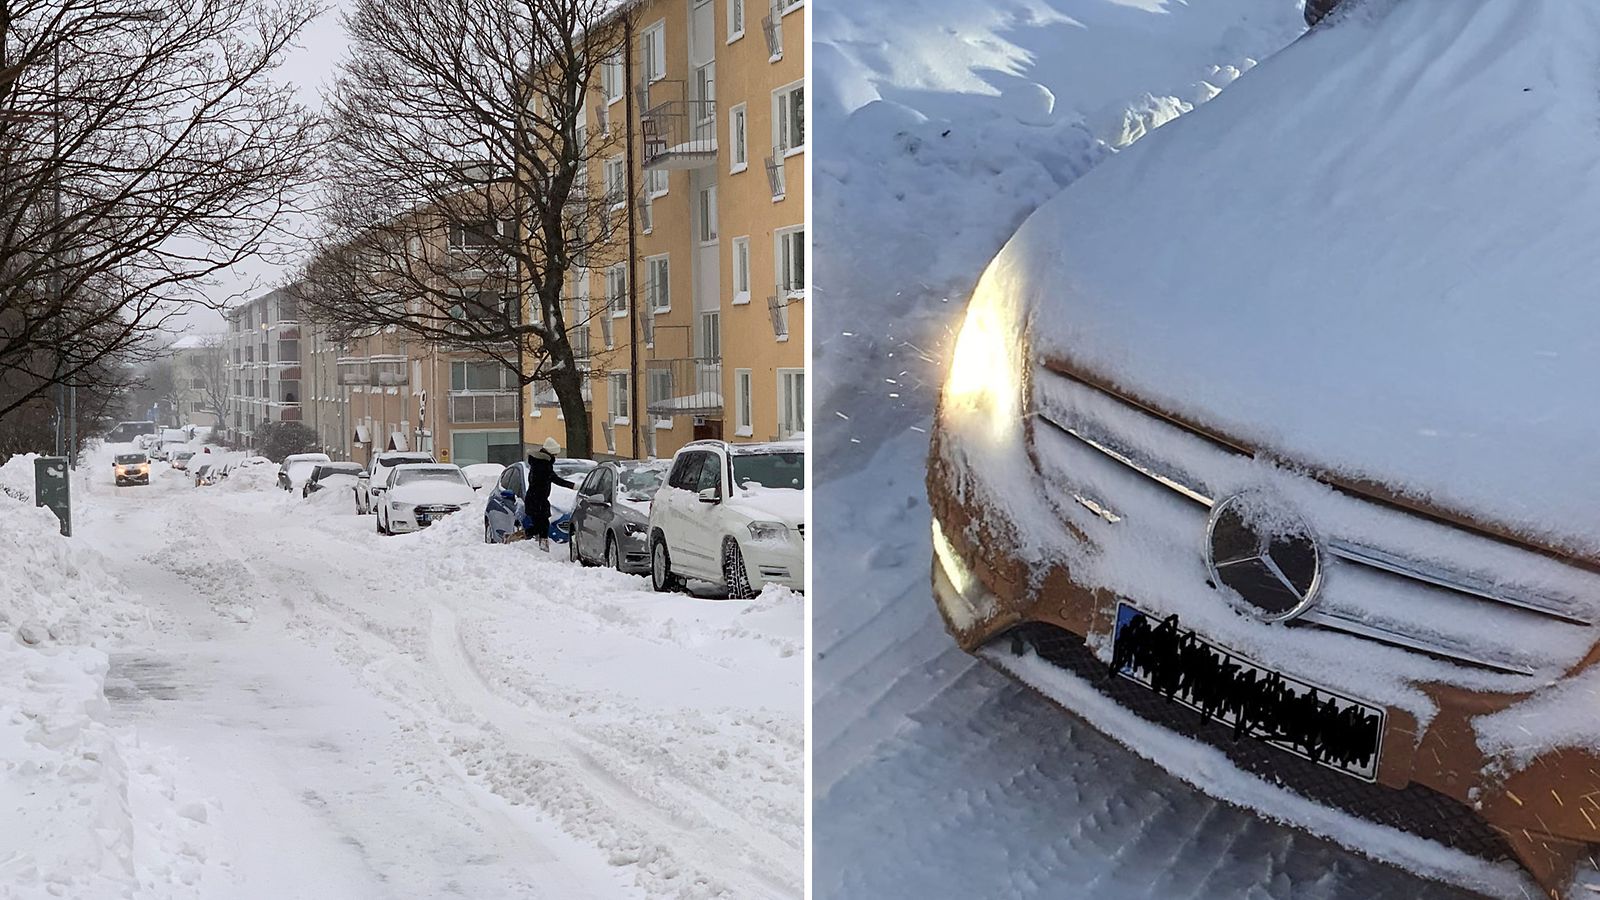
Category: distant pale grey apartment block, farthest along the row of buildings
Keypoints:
(265, 363)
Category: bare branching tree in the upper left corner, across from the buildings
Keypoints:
(145, 150)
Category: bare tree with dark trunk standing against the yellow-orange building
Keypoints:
(460, 207)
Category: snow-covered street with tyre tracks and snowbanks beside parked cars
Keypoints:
(298, 707)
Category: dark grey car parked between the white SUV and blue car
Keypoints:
(612, 515)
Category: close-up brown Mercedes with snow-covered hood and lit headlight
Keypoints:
(1292, 496)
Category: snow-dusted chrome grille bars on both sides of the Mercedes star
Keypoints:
(1124, 435)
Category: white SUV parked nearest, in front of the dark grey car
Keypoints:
(732, 515)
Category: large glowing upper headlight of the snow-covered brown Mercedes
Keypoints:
(986, 369)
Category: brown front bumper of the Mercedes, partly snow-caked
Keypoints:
(1433, 782)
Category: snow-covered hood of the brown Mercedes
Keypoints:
(1374, 255)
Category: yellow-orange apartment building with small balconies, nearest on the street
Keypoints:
(700, 332)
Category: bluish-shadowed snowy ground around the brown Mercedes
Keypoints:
(940, 131)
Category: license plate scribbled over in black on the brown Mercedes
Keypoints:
(1287, 713)
